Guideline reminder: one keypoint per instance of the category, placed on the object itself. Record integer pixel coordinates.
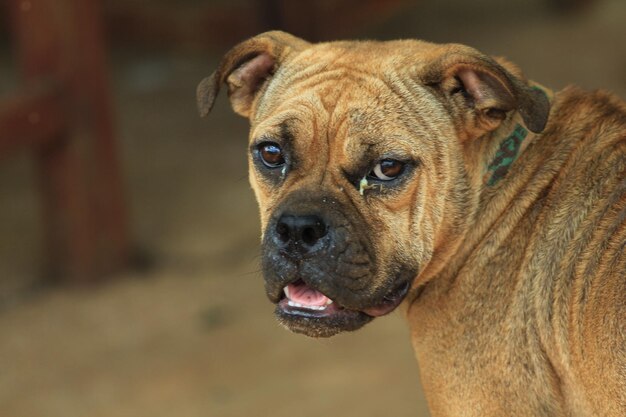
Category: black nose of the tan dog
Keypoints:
(300, 233)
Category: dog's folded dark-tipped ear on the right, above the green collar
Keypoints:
(481, 91)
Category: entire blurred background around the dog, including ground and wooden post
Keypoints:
(129, 277)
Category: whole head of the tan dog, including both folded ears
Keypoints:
(359, 161)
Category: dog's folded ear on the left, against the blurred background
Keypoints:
(245, 69)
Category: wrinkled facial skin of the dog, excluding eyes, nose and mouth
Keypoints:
(333, 132)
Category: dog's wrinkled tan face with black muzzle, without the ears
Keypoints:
(335, 170)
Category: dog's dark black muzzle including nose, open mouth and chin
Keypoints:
(320, 271)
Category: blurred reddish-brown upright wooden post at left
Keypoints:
(60, 42)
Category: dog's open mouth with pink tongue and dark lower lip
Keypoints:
(304, 309)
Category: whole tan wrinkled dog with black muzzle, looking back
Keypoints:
(390, 171)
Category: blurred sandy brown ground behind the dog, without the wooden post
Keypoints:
(194, 335)
